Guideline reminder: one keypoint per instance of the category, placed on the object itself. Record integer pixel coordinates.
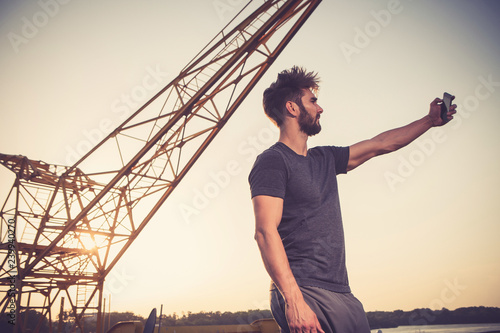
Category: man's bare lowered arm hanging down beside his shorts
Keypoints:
(268, 211)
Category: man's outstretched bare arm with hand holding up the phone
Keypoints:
(397, 138)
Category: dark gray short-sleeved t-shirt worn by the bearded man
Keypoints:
(311, 225)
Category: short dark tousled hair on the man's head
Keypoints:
(288, 87)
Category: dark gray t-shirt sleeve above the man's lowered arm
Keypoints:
(268, 175)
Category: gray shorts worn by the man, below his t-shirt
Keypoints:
(336, 312)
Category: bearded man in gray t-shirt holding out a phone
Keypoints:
(297, 212)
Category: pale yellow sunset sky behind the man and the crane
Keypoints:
(422, 225)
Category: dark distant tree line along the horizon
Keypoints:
(377, 319)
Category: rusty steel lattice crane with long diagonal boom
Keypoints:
(63, 230)
